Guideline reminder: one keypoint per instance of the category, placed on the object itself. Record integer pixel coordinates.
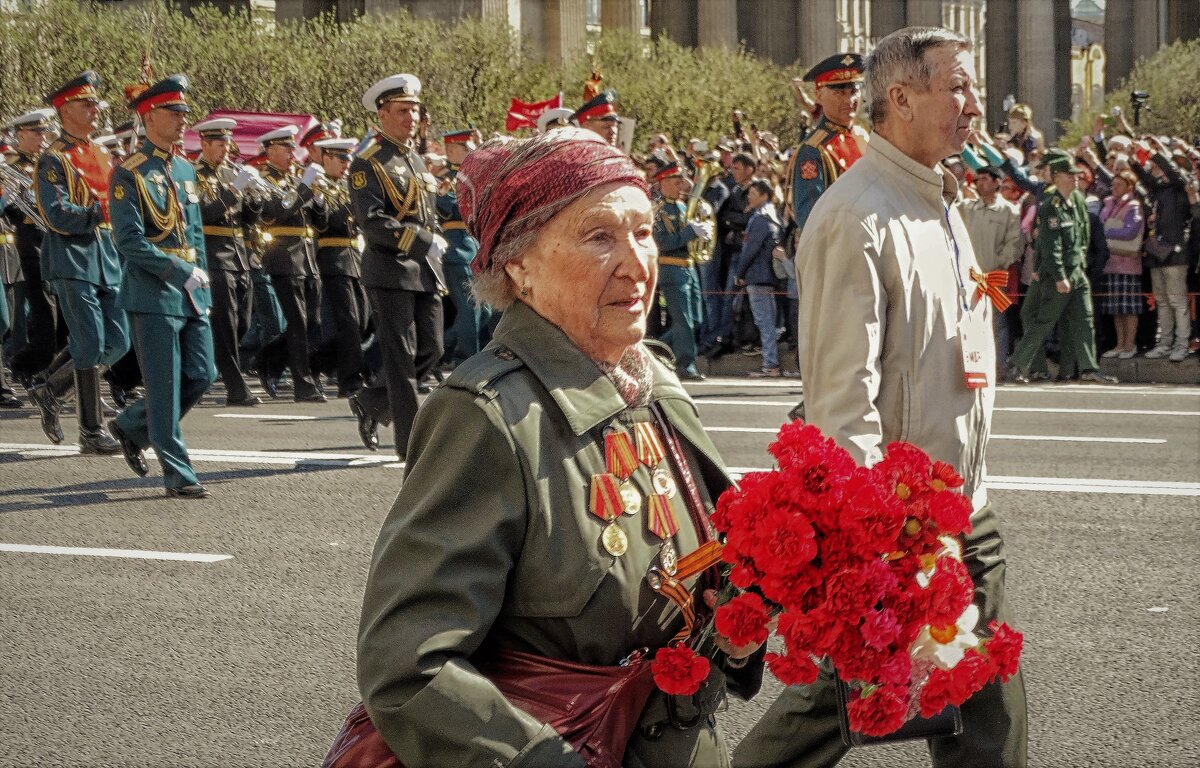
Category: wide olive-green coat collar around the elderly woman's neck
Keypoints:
(578, 386)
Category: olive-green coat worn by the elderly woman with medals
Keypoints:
(491, 544)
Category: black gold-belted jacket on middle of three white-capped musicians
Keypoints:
(292, 218)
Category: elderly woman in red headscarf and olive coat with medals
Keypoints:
(554, 482)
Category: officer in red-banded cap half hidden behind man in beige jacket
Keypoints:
(832, 147)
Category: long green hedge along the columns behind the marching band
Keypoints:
(470, 69)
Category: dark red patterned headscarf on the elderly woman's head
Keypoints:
(508, 189)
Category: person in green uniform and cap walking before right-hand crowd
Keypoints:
(1060, 293)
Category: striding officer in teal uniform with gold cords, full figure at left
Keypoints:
(160, 233)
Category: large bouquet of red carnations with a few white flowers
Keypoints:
(863, 568)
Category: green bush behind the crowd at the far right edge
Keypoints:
(1171, 79)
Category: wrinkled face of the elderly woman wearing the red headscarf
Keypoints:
(593, 269)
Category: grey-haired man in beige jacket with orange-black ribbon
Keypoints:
(896, 345)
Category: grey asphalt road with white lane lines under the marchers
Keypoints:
(249, 661)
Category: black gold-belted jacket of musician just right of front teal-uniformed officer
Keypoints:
(226, 215)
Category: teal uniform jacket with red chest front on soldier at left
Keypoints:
(79, 244)
